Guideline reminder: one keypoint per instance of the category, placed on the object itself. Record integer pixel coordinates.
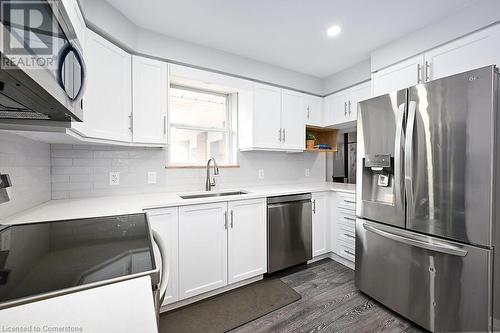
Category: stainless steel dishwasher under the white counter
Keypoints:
(289, 231)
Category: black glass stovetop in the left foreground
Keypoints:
(39, 258)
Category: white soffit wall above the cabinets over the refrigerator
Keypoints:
(457, 25)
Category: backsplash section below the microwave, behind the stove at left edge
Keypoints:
(28, 164)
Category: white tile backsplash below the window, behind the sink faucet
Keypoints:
(83, 171)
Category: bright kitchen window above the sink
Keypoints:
(201, 127)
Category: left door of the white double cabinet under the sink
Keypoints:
(202, 248)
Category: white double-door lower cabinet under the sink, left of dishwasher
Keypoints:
(219, 244)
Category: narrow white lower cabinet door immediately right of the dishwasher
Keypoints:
(320, 221)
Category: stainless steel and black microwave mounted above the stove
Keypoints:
(42, 67)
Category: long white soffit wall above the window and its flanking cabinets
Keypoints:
(105, 19)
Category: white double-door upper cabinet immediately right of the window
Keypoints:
(274, 120)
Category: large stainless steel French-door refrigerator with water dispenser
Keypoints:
(428, 202)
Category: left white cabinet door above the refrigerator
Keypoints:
(398, 76)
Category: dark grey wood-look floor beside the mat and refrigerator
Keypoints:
(330, 303)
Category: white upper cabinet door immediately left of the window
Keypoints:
(150, 102)
